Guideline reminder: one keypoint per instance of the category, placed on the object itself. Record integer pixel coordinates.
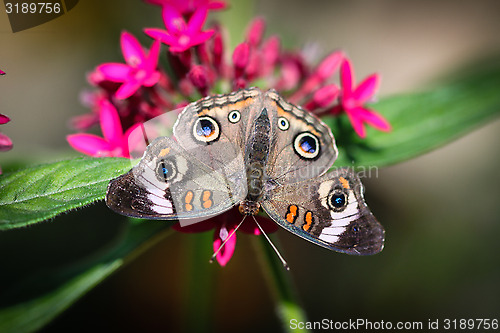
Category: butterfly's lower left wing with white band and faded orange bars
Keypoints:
(171, 183)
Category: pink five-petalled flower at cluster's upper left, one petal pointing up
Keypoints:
(140, 69)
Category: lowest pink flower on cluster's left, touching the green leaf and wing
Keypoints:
(114, 143)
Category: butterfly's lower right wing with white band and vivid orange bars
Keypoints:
(329, 211)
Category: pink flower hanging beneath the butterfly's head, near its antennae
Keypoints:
(224, 225)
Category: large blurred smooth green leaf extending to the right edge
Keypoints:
(422, 121)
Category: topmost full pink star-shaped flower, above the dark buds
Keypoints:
(181, 35)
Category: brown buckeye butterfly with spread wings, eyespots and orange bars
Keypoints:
(254, 150)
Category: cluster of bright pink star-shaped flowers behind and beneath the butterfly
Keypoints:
(130, 93)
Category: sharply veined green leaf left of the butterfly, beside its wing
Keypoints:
(41, 192)
